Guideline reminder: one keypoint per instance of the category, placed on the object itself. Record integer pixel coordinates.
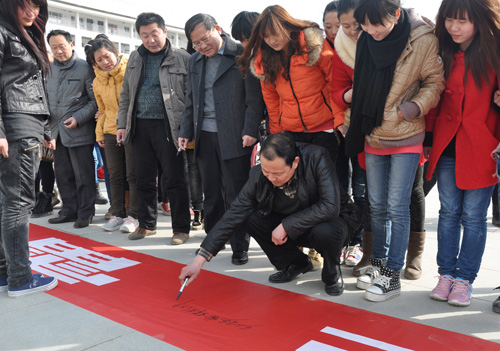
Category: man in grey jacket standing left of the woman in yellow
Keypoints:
(72, 109)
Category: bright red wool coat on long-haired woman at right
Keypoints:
(469, 114)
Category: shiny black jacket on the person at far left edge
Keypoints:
(21, 79)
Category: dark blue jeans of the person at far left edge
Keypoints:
(17, 199)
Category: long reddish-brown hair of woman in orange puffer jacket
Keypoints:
(274, 20)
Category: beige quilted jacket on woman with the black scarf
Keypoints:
(418, 78)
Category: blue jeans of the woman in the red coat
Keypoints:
(467, 208)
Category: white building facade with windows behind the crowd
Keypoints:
(84, 23)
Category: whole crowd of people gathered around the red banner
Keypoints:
(353, 125)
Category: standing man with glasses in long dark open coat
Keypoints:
(222, 113)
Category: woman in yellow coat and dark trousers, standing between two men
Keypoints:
(109, 71)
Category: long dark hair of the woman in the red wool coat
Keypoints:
(484, 51)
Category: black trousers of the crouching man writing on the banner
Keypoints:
(327, 238)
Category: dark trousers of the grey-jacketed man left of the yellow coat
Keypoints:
(75, 176)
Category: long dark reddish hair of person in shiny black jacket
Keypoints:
(32, 37)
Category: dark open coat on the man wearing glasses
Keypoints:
(239, 106)
